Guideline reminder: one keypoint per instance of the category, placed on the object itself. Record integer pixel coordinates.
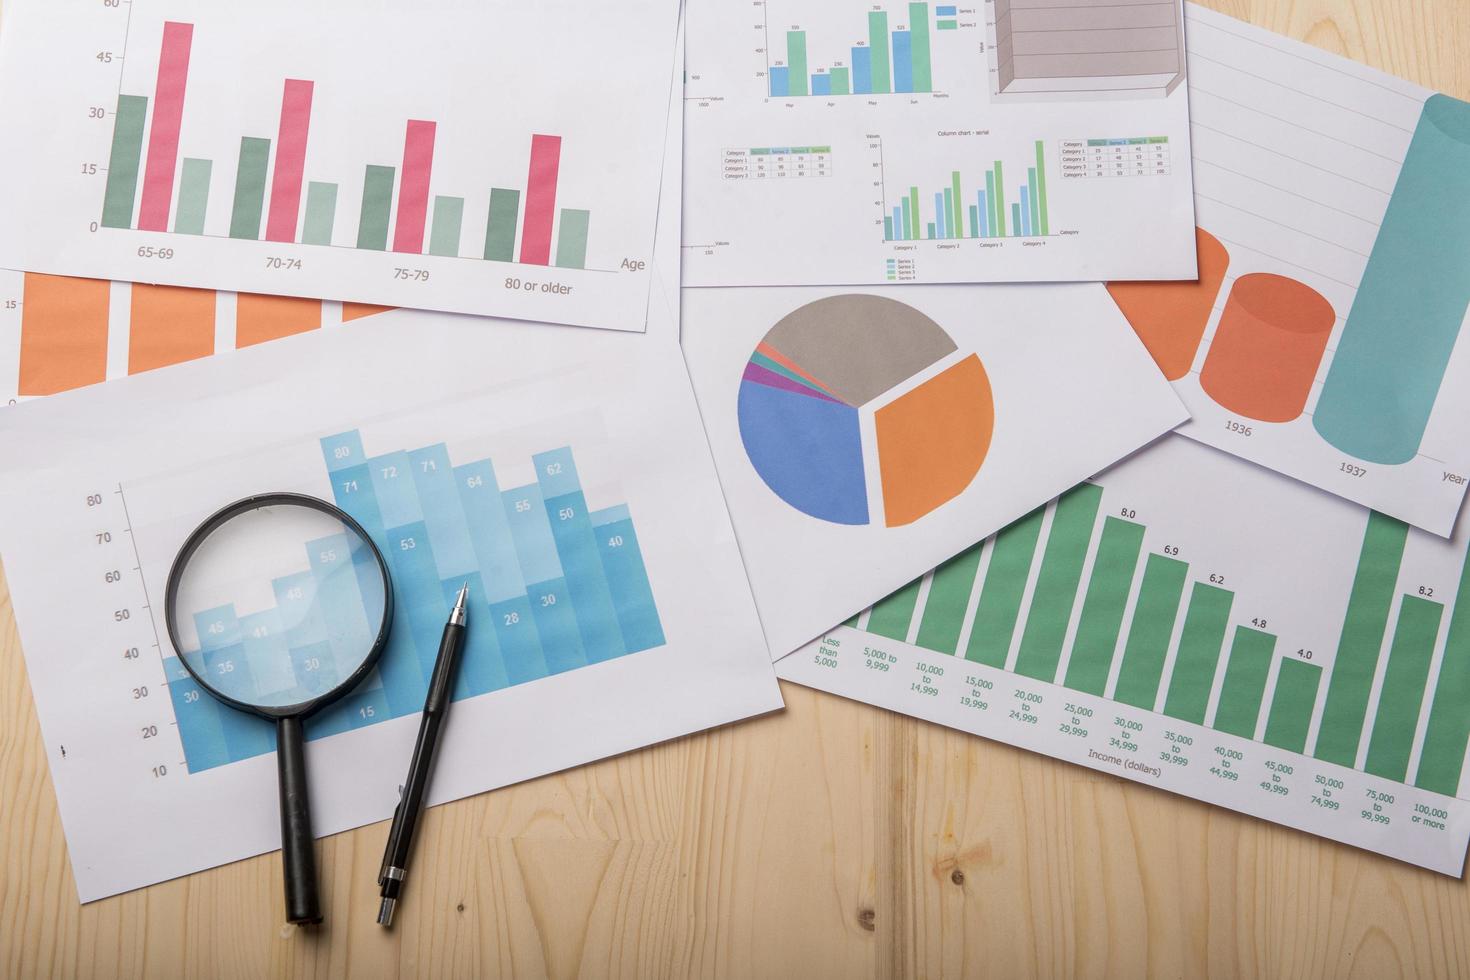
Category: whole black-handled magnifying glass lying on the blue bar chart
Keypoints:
(280, 605)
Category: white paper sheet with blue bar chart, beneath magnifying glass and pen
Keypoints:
(562, 472)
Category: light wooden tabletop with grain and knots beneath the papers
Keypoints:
(831, 841)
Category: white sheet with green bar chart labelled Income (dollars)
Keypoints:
(1208, 628)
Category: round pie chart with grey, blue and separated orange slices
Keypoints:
(850, 365)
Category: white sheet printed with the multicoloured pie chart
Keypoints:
(864, 439)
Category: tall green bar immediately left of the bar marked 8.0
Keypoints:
(1058, 583)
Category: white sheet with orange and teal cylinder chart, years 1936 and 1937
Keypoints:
(1324, 337)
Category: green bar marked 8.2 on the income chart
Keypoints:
(1403, 696)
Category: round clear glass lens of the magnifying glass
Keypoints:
(279, 606)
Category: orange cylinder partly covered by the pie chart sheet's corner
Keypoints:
(1171, 317)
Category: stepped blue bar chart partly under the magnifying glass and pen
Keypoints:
(555, 587)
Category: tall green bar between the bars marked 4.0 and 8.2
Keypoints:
(1362, 640)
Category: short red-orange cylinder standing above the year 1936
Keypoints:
(1268, 347)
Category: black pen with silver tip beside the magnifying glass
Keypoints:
(436, 706)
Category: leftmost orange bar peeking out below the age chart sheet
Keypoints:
(64, 334)
